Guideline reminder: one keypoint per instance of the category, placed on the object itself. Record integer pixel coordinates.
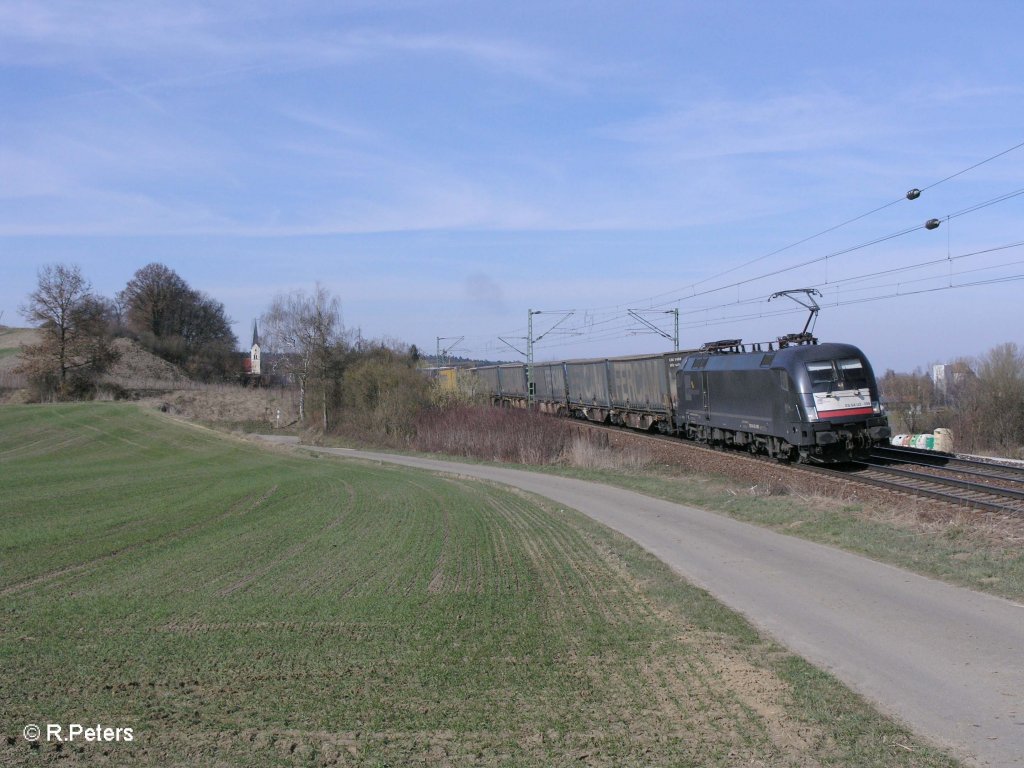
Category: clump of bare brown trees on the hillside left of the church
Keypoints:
(157, 308)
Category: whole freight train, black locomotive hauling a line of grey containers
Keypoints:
(798, 402)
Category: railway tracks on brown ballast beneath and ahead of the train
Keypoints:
(962, 483)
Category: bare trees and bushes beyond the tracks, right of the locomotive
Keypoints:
(983, 402)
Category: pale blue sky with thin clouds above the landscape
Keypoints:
(443, 167)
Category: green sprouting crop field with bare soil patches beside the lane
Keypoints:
(235, 606)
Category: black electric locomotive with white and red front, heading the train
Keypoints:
(810, 403)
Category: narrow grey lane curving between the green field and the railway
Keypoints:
(946, 661)
